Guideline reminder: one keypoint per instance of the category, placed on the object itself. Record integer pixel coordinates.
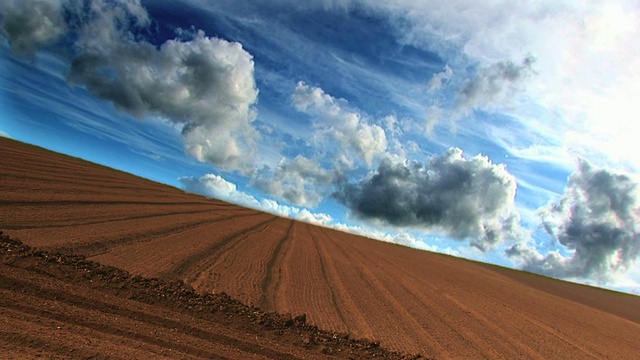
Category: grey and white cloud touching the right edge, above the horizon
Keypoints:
(597, 219)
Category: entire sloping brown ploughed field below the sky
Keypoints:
(410, 301)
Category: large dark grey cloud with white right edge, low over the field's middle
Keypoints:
(466, 198)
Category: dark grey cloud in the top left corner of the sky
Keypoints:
(31, 25)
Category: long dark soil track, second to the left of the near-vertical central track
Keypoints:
(104, 246)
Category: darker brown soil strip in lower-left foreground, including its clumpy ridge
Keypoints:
(59, 305)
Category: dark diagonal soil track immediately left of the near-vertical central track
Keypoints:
(181, 269)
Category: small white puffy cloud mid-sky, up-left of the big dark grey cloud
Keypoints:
(337, 122)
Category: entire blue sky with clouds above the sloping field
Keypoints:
(496, 131)
